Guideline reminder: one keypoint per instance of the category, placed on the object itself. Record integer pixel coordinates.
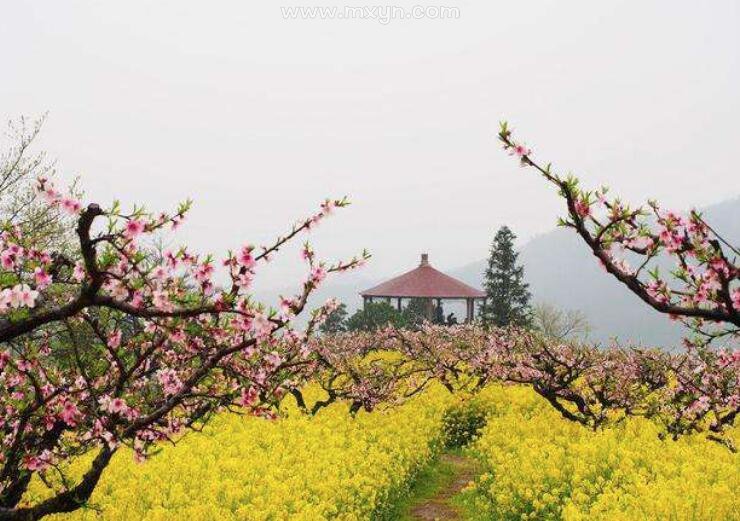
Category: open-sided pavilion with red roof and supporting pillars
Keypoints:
(426, 283)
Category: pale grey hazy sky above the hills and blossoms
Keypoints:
(258, 118)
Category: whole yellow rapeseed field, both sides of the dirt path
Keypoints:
(334, 466)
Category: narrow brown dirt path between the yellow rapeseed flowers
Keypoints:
(439, 507)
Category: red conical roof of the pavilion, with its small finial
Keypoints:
(423, 282)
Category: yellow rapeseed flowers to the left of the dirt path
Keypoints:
(331, 466)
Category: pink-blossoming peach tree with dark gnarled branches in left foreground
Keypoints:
(118, 344)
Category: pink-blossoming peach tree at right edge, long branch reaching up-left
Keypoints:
(701, 288)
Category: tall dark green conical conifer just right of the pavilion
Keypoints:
(507, 294)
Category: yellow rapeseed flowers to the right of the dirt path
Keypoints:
(543, 467)
